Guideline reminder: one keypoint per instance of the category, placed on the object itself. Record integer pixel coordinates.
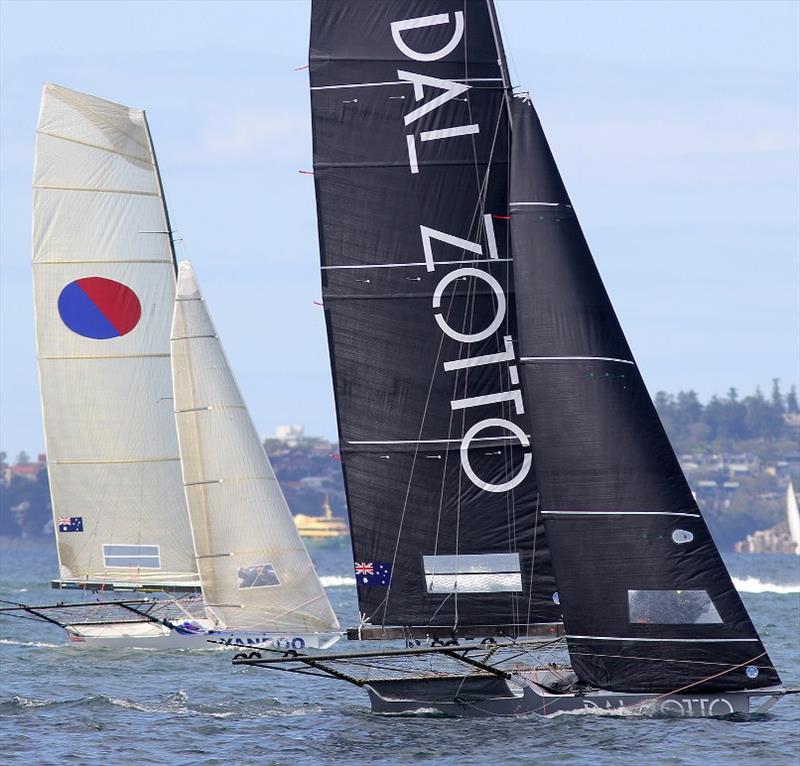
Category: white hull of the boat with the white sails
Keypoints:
(151, 635)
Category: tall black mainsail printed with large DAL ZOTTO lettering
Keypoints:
(411, 145)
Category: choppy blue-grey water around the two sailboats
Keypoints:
(59, 704)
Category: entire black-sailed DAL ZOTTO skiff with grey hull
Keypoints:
(508, 479)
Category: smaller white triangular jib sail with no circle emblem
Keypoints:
(255, 570)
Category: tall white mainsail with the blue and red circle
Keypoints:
(104, 283)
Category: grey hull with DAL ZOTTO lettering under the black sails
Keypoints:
(479, 696)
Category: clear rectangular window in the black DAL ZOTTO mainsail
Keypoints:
(474, 573)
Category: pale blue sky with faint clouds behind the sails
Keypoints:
(676, 126)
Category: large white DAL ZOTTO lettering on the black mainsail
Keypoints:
(444, 91)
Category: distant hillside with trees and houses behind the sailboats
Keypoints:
(738, 454)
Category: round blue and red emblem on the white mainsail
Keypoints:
(99, 308)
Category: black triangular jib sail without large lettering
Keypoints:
(648, 604)
